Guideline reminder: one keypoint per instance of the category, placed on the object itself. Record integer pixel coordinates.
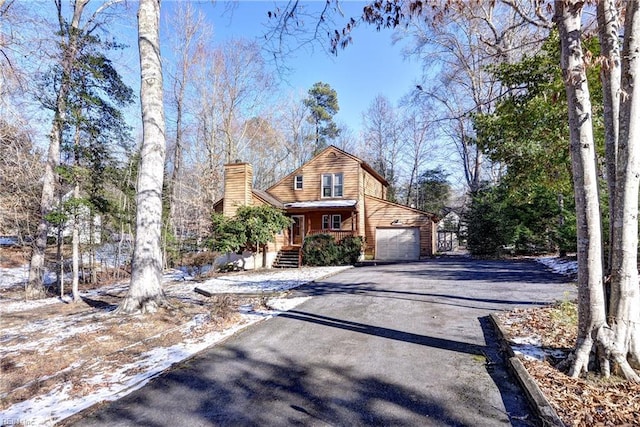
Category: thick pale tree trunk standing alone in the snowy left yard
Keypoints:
(145, 290)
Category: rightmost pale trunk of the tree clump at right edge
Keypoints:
(625, 296)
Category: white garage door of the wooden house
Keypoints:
(398, 243)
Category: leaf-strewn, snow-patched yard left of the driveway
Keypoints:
(59, 358)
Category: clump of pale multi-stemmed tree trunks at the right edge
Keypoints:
(618, 340)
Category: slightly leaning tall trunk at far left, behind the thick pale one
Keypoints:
(34, 287)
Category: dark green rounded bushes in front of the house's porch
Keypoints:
(322, 250)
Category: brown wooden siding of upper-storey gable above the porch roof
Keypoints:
(331, 161)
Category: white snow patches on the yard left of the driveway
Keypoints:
(58, 404)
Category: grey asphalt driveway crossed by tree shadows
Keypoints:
(404, 344)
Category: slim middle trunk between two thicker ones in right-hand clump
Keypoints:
(608, 32)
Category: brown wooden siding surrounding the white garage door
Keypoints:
(380, 213)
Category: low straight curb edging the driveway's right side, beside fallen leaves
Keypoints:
(537, 399)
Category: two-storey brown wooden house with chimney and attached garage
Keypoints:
(338, 194)
